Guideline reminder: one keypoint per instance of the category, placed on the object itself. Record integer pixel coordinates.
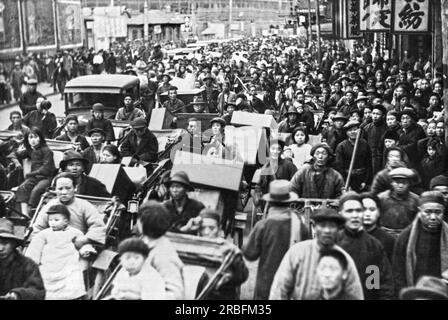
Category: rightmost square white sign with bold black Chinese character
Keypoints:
(411, 16)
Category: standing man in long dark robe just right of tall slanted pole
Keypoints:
(374, 133)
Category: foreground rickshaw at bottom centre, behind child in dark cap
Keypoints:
(205, 263)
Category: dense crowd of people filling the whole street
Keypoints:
(380, 159)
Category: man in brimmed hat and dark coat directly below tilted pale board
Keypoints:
(182, 208)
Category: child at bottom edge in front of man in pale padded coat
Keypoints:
(332, 274)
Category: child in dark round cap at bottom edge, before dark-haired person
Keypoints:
(136, 280)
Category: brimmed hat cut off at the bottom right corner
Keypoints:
(427, 287)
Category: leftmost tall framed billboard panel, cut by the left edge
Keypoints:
(9, 25)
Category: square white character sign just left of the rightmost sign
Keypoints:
(375, 15)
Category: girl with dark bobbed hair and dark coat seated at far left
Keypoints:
(42, 170)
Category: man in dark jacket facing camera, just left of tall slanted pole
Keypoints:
(317, 179)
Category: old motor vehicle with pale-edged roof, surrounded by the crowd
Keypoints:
(109, 89)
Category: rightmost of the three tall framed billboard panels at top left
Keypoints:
(70, 22)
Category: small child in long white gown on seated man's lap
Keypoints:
(54, 250)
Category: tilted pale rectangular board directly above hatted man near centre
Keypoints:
(206, 171)
